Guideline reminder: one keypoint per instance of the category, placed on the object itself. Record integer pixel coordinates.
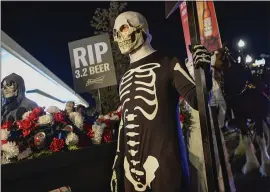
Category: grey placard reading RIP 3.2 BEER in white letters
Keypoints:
(92, 63)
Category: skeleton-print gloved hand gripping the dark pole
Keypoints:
(201, 56)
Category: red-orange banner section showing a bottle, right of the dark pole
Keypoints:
(208, 26)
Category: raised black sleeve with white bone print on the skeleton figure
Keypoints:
(183, 82)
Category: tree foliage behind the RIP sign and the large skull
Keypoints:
(103, 22)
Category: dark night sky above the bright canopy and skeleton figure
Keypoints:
(45, 28)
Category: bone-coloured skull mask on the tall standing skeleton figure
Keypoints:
(130, 31)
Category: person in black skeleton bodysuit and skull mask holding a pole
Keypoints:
(151, 152)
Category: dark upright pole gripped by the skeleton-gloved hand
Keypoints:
(202, 96)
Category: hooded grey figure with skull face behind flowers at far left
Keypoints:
(14, 102)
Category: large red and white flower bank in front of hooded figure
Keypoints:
(41, 133)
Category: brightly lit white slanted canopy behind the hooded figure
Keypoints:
(14, 59)
